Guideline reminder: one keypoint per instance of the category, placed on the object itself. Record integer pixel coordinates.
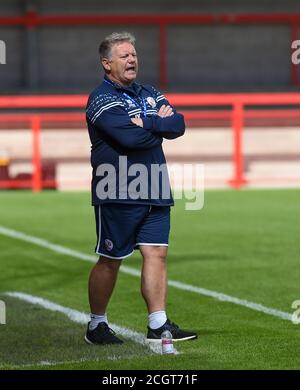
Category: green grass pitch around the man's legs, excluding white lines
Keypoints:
(243, 243)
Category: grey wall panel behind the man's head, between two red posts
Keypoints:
(68, 56)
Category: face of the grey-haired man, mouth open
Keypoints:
(122, 66)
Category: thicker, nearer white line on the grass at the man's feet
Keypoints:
(82, 318)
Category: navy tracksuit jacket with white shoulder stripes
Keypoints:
(112, 134)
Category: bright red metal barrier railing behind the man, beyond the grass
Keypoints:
(235, 108)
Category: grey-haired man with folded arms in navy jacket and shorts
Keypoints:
(127, 123)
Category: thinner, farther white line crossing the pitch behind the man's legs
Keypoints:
(134, 272)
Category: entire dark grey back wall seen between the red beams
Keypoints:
(199, 58)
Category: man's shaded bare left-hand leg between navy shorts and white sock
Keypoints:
(102, 281)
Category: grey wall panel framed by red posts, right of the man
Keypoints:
(220, 57)
